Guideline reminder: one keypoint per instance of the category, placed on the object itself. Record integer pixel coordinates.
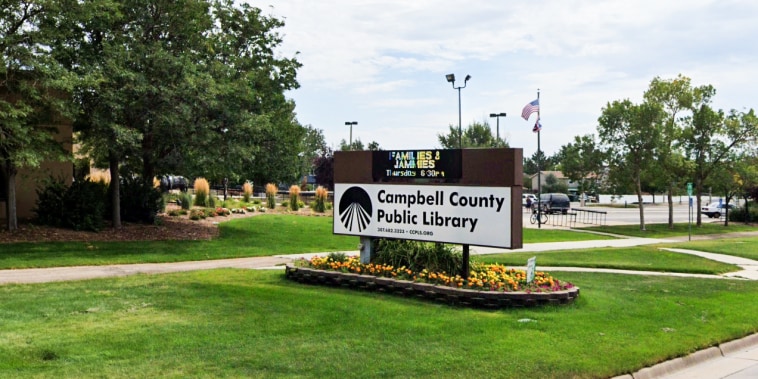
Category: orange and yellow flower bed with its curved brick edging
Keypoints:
(489, 286)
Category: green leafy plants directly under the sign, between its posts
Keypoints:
(418, 256)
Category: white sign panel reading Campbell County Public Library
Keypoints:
(462, 215)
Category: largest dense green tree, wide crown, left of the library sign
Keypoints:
(182, 86)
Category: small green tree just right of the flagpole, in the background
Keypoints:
(581, 159)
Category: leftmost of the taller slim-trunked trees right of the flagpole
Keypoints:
(629, 133)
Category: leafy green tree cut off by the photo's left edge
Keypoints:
(28, 96)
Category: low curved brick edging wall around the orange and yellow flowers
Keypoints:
(445, 294)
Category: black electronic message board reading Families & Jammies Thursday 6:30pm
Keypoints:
(416, 164)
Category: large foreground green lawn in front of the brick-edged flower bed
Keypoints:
(247, 323)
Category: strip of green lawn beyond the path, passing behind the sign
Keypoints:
(263, 235)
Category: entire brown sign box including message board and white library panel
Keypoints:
(445, 205)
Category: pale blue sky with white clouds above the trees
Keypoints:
(383, 63)
